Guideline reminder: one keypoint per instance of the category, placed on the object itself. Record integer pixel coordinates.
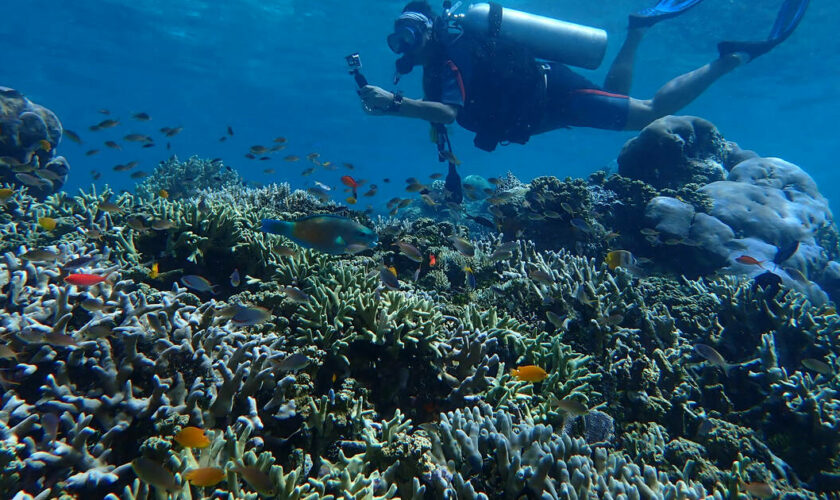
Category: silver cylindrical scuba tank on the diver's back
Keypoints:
(547, 38)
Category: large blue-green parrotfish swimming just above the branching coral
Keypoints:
(330, 234)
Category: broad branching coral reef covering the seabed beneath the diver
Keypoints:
(482, 365)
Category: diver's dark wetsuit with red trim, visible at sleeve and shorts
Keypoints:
(571, 99)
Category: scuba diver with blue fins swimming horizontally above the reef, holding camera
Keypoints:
(504, 74)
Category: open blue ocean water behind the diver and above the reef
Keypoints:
(272, 68)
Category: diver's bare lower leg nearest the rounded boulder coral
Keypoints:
(679, 92)
